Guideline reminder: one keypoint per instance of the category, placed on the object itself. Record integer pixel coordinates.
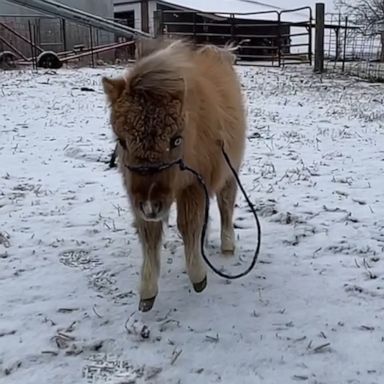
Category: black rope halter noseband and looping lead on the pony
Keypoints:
(184, 167)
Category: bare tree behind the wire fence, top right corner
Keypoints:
(369, 14)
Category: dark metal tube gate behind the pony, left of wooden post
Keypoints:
(271, 38)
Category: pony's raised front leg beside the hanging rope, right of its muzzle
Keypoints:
(190, 217)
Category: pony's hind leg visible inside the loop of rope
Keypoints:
(226, 201)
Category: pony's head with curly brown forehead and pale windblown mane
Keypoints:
(148, 118)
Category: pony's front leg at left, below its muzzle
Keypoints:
(150, 234)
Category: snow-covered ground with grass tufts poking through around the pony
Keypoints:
(312, 311)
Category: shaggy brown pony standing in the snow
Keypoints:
(178, 102)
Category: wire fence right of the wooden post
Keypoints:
(349, 49)
